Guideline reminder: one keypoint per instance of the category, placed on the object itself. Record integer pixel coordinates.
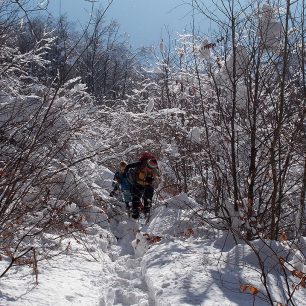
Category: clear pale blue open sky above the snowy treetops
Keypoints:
(146, 21)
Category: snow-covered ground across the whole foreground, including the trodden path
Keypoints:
(174, 260)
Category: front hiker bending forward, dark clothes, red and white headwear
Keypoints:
(142, 177)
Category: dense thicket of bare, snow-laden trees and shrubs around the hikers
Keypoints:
(225, 116)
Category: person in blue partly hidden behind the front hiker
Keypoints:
(122, 182)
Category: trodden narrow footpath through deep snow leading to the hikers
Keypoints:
(126, 286)
